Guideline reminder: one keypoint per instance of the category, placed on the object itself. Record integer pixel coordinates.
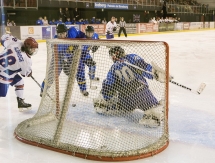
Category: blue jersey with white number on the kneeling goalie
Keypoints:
(129, 83)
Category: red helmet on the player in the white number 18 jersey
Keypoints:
(30, 46)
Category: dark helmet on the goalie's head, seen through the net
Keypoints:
(116, 53)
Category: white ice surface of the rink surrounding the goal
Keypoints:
(191, 116)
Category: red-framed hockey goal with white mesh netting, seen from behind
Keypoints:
(106, 123)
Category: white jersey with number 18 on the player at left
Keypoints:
(13, 61)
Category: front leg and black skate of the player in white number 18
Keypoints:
(18, 82)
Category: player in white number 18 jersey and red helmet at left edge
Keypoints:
(14, 61)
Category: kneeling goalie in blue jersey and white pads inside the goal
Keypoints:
(125, 88)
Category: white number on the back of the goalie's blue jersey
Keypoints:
(126, 73)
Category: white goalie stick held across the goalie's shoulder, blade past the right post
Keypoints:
(198, 91)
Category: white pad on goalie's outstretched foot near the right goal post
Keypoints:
(152, 117)
